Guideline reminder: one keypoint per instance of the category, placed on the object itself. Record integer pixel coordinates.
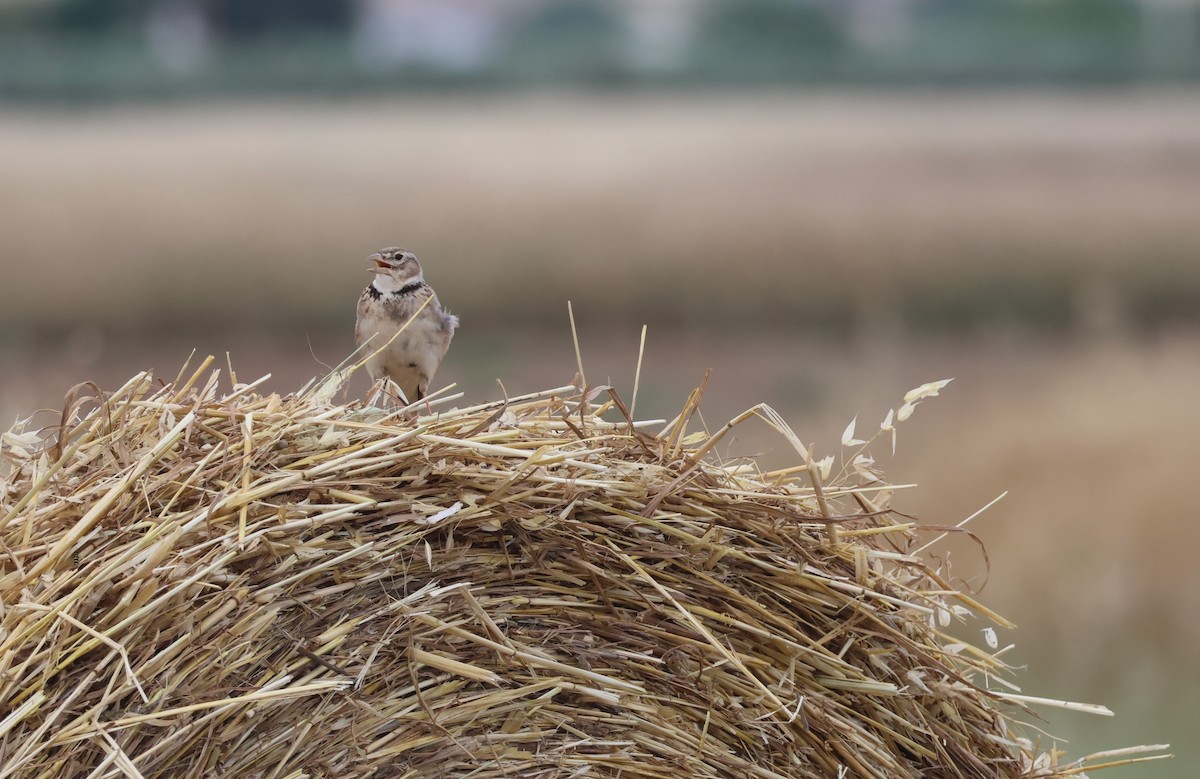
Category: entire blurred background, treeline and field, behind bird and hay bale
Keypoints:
(826, 205)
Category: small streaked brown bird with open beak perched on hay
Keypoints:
(394, 298)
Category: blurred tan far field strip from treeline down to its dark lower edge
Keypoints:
(693, 211)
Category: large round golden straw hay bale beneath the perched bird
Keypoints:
(197, 585)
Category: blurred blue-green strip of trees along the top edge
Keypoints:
(103, 50)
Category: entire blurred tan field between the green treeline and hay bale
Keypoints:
(823, 253)
